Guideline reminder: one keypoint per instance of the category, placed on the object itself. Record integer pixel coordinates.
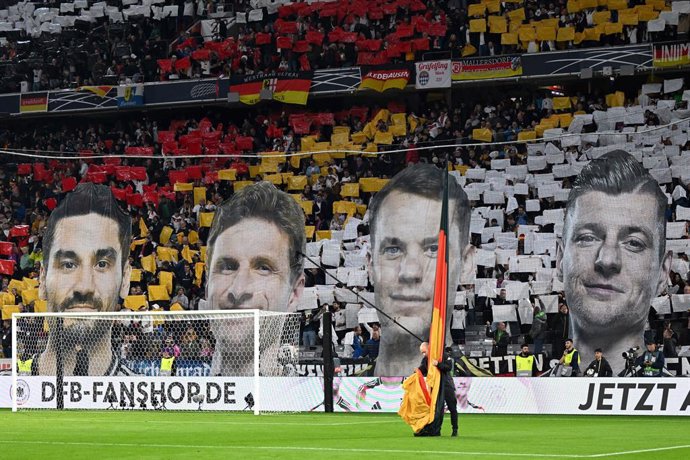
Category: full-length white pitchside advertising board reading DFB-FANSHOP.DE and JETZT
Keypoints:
(492, 395)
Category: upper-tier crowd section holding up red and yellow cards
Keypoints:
(347, 33)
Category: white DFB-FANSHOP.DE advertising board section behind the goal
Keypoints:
(173, 393)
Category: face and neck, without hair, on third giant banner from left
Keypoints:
(403, 272)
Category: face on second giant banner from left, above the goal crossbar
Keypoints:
(250, 268)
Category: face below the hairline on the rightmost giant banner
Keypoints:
(610, 261)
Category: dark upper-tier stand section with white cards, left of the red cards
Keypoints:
(55, 45)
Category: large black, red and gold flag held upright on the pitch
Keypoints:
(422, 405)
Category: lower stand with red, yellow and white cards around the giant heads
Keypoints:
(167, 177)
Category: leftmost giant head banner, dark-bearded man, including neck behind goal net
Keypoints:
(85, 269)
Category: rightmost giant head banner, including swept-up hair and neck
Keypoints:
(612, 258)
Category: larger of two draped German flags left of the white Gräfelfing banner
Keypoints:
(289, 88)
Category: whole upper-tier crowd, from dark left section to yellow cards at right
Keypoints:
(308, 36)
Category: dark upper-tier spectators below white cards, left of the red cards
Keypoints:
(93, 51)
